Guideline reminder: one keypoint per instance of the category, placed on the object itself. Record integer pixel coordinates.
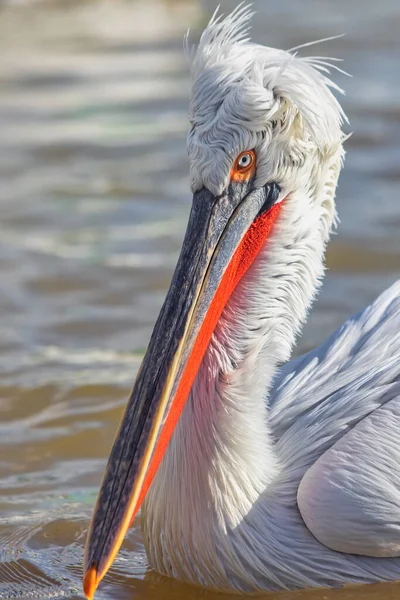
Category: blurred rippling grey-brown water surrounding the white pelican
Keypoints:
(94, 198)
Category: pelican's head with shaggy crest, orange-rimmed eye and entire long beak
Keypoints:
(265, 137)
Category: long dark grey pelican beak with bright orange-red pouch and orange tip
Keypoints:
(223, 237)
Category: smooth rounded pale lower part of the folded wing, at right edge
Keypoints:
(350, 497)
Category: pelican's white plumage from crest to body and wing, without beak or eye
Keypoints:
(280, 477)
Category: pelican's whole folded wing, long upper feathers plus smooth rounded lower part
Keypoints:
(335, 417)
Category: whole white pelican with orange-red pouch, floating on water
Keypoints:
(255, 473)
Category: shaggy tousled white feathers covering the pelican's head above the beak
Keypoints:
(245, 95)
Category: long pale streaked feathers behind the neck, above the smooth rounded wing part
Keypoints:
(326, 392)
